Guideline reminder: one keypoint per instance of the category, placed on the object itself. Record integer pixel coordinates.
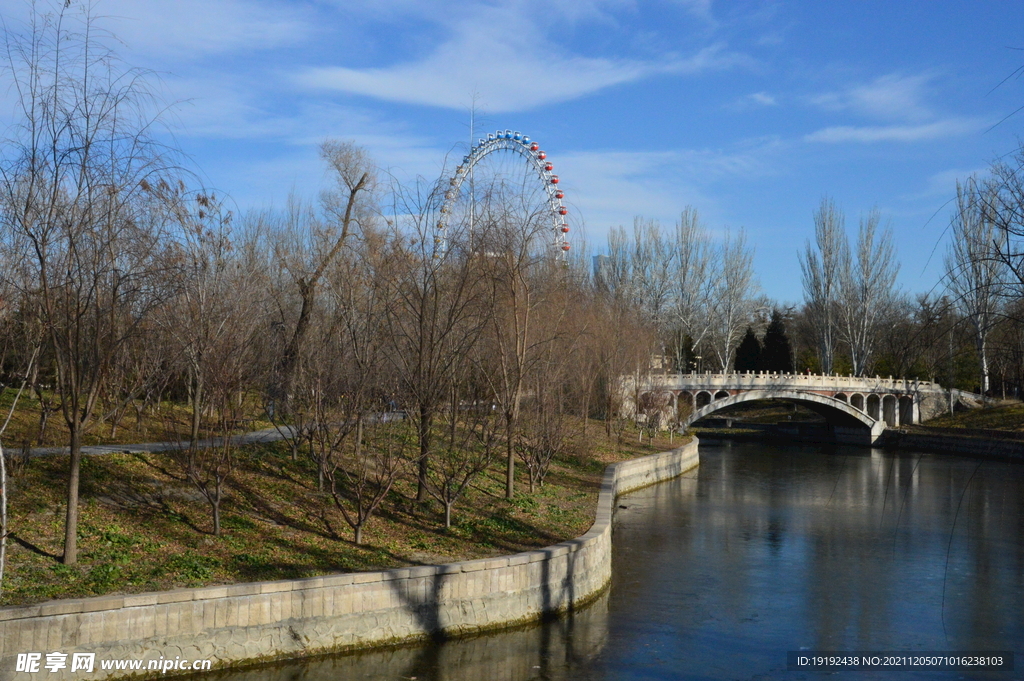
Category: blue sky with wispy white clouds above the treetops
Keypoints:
(751, 112)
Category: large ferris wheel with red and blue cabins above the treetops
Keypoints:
(503, 164)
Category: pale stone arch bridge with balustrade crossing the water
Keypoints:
(856, 409)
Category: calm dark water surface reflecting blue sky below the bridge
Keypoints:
(764, 550)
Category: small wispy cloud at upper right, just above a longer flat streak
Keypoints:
(890, 98)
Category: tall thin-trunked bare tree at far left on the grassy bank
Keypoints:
(74, 207)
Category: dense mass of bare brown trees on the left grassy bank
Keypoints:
(123, 286)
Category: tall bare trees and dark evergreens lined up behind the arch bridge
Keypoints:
(700, 297)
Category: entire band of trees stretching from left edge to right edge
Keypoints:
(123, 285)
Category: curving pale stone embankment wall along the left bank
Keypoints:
(244, 623)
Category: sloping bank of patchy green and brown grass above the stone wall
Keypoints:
(145, 529)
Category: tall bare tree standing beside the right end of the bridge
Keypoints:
(975, 275)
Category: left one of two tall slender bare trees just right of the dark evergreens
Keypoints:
(823, 270)
